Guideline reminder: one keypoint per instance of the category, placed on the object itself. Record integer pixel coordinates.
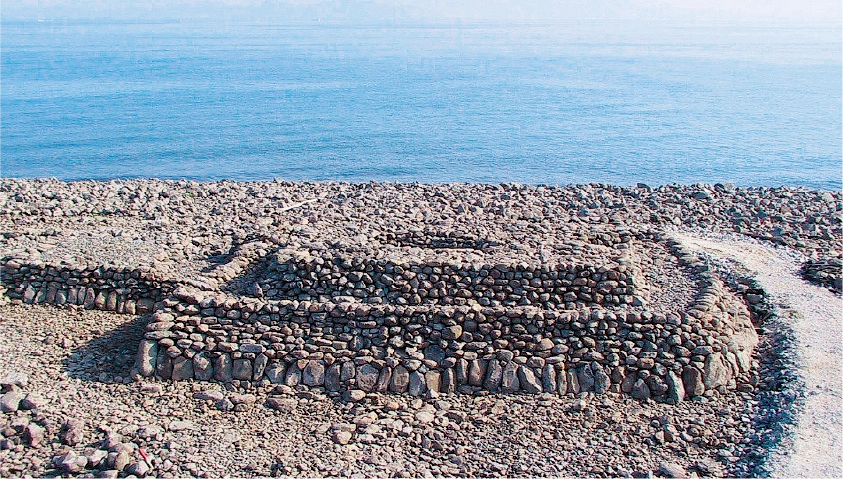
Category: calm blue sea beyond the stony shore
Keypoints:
(553, 104)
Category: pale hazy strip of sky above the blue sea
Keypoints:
(438, 11)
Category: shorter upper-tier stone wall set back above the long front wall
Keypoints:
(380, 281)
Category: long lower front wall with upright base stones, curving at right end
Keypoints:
(424, 349)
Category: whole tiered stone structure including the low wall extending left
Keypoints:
(424, 312)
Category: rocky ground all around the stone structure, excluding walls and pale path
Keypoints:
(70, 408)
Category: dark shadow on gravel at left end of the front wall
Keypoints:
(108, 357)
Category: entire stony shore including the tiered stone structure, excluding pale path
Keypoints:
(76, 401)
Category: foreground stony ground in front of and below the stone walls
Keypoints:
(79, 412)
